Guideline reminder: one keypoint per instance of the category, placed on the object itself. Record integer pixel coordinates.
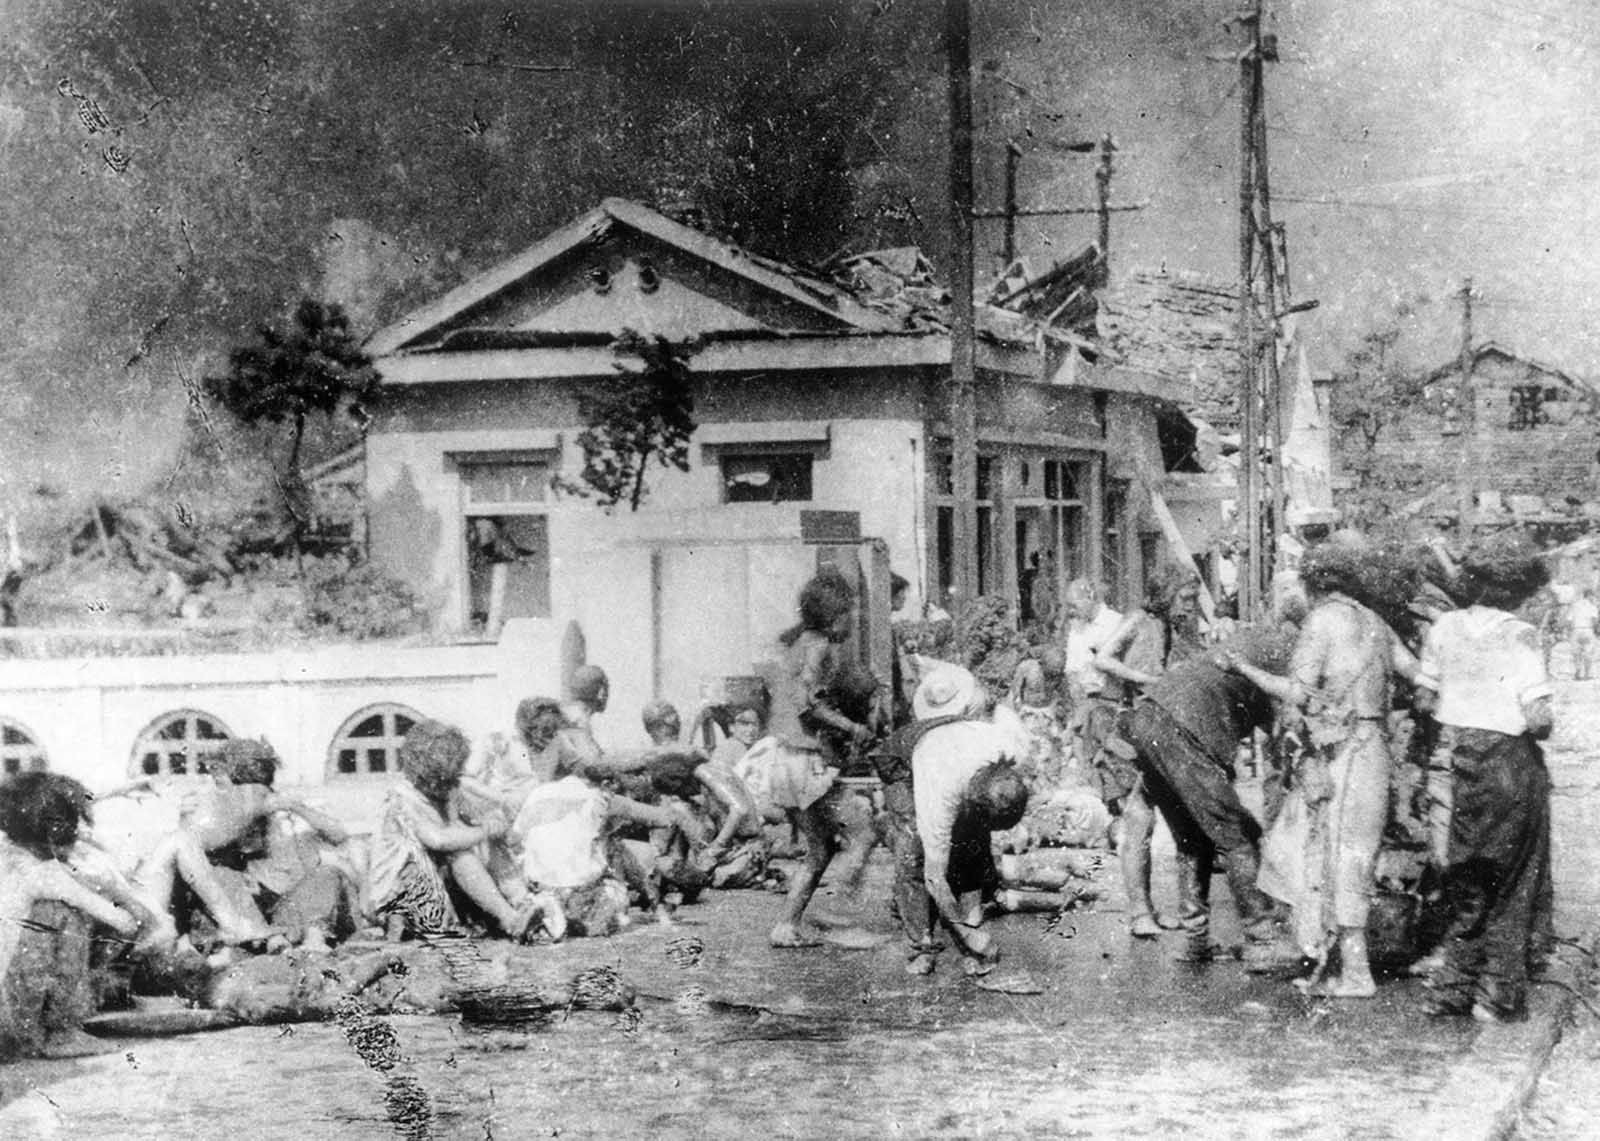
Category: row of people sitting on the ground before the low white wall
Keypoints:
(537, 839)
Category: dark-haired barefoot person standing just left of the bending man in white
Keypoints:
(809, 726)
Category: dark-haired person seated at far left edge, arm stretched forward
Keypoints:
(46, 919)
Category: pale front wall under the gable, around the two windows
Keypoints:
(868, 460)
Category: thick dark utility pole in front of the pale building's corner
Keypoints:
(964, 366)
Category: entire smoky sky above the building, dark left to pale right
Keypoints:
(382, 151)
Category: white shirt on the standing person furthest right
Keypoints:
(1486, 667)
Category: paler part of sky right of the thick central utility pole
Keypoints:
(1412, 145)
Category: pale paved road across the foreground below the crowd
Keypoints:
(746, 1041)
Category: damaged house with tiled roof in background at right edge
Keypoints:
(1524, 447)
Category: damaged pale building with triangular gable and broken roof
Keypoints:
(822, 438)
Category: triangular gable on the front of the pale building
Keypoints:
(625, 266)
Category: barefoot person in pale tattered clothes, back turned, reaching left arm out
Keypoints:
(1338, 683)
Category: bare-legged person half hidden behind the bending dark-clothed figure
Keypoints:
(1162, 635)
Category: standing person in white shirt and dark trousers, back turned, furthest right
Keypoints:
(1484, 675)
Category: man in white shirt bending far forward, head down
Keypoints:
(966, 787)
